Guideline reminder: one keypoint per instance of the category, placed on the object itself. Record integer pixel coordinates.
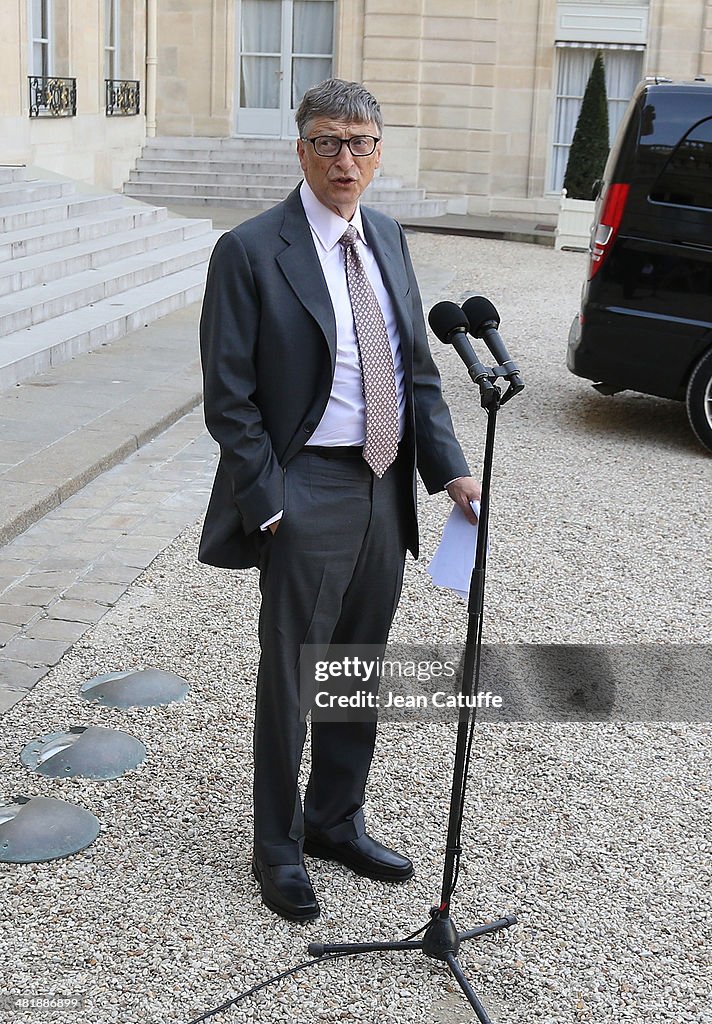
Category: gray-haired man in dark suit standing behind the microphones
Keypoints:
(322, 394)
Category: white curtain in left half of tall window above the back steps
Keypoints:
(262, 49)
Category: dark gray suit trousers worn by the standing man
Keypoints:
(332, 574)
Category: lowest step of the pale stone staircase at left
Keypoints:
(35, 351)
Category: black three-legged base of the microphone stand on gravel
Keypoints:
(441, 942)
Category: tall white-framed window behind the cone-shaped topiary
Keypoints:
(623, 72)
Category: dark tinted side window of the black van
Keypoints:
(687, 178)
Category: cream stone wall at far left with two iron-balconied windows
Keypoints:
(57, 112)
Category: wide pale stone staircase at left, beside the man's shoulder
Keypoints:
(80, 270)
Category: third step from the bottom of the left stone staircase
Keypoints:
(31, 272)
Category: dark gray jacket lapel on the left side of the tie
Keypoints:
(301, 267)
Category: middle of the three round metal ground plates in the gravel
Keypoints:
(90, 752)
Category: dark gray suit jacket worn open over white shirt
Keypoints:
(268, 347)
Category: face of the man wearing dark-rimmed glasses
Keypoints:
(339, 182)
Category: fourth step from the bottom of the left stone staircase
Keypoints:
(45, 238)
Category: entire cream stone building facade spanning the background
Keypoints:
(480, 97)
